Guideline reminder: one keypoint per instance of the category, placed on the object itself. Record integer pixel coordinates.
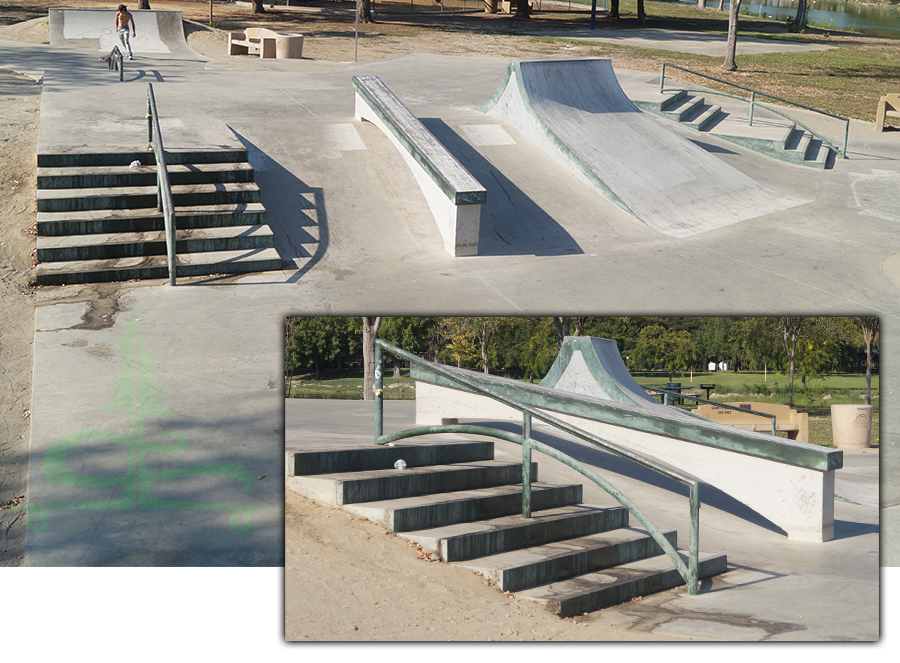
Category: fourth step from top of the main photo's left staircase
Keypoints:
(92, 222)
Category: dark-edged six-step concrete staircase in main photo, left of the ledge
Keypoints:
(97, 217)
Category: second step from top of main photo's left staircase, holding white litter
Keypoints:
(82, 177)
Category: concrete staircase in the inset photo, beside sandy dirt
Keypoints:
(463, 506)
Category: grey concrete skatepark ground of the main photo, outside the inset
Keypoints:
(356, 236)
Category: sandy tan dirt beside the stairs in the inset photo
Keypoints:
(390, 591)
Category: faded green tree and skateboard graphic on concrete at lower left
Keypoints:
(137, 394)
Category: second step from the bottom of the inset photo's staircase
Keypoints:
(553, 562)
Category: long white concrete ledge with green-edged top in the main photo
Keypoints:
(454, 196)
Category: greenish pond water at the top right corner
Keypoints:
(875, 20)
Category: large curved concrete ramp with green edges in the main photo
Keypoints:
(576, 111)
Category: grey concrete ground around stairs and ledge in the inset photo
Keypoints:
(774, 590)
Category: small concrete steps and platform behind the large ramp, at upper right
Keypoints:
(770, 134)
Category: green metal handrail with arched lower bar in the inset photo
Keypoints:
(689, 572)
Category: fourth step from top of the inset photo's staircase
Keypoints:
(463, 541)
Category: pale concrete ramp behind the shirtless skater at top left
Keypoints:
(155, 31)
